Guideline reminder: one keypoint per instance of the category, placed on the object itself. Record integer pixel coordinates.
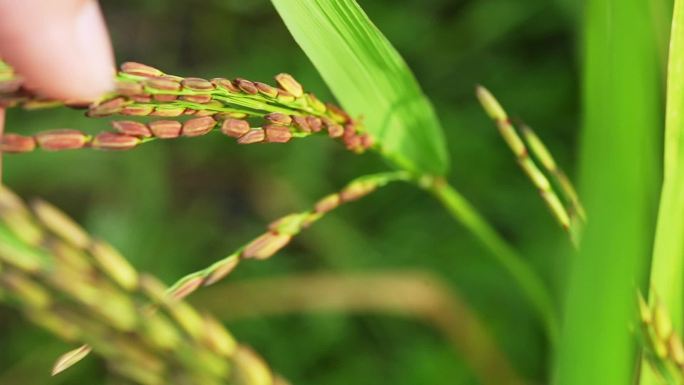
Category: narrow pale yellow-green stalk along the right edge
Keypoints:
(668, 251)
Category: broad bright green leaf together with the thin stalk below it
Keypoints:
(374, 81)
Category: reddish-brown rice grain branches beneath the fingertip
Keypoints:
(188, 107)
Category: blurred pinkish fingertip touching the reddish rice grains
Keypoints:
(61, 47)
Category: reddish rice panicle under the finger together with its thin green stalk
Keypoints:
(147, 91)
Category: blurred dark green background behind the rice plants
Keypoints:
(174, 207)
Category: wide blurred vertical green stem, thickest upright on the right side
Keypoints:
(621, 117)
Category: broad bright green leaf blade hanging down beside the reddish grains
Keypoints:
(369, 78)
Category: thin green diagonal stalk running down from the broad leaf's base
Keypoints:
(530, 283)
